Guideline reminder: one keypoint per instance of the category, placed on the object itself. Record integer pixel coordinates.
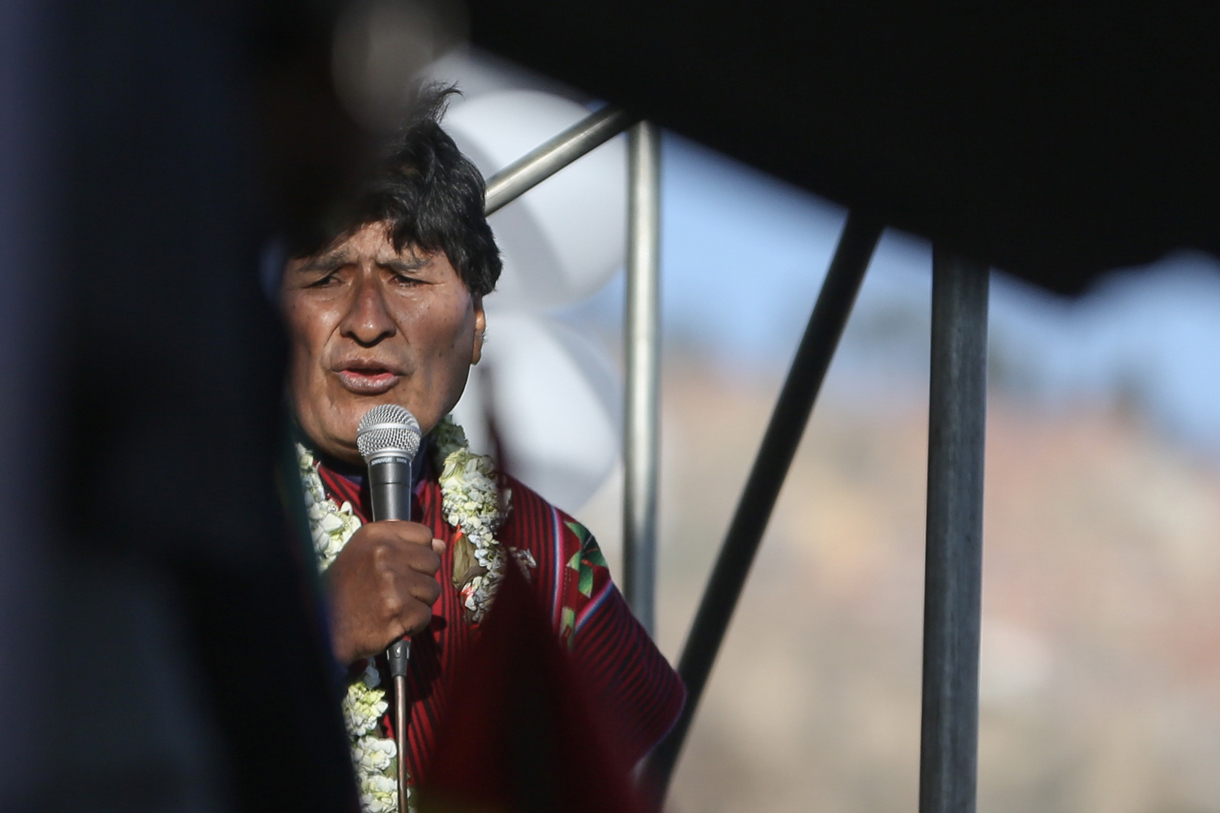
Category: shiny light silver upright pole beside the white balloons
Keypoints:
(644, 344)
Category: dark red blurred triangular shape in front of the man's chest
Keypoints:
(520, 733)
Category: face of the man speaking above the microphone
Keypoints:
(369, 327)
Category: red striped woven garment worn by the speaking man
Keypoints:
(640, 693)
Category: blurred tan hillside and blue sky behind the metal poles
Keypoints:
(1101, 672)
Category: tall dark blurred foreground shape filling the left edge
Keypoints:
(160, 641)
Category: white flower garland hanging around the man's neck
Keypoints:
(473, 504)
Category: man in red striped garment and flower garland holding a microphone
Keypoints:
(391, 311)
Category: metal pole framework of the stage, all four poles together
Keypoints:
(957, 418)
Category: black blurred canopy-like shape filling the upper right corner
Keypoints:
(1051, 140)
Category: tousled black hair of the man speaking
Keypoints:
(431, 196)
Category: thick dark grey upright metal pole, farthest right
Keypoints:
(953, 573)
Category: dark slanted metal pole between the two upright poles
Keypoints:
(792, 410)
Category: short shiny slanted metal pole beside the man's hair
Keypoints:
(552, 157)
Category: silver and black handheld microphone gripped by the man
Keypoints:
(389, 439)
